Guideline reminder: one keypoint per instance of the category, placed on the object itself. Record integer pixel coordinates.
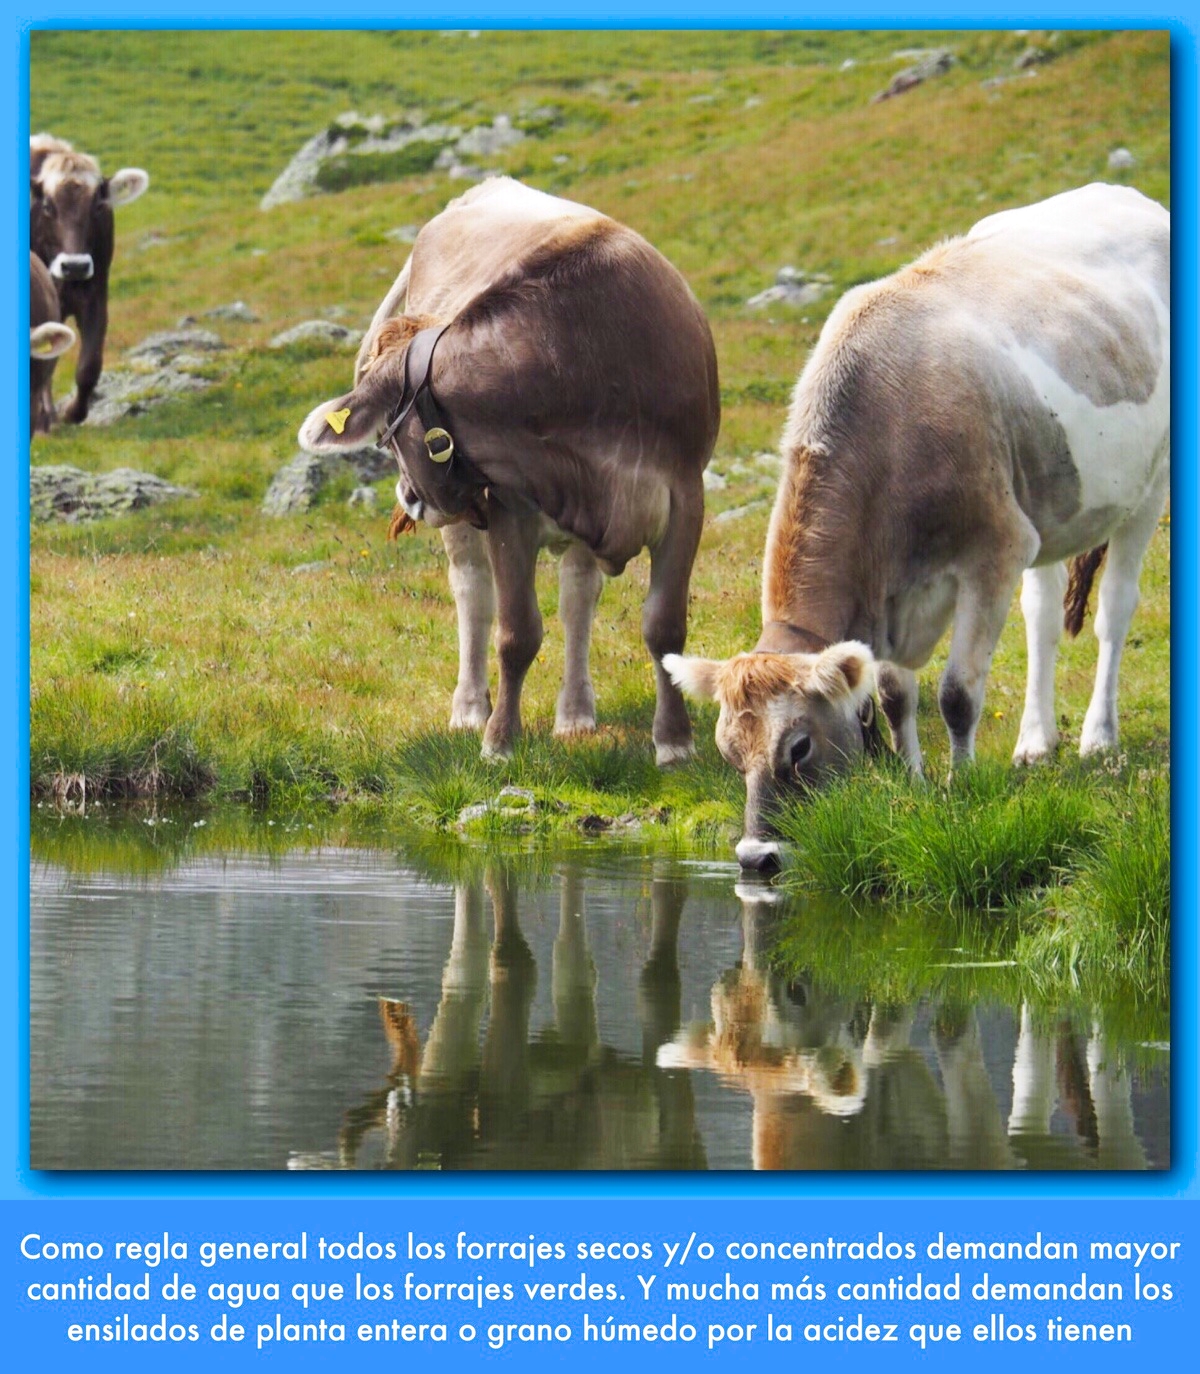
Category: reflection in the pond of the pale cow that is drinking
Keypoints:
(839, 1086)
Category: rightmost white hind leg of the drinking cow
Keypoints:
(1118, 601)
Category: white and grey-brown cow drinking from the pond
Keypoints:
(988, 414)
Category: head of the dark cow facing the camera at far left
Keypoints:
(71, 212)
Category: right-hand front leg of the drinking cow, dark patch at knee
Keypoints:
(981, 611)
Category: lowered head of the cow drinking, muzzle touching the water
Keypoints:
(787, 723)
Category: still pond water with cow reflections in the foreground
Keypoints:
(346, 1009)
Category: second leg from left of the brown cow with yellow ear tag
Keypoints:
(513, 541)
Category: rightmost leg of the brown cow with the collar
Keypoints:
(665, 622)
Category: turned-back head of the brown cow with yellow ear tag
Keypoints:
(432, 487)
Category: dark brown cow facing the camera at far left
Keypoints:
(71, 229)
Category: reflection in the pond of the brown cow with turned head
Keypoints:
(483, 1093)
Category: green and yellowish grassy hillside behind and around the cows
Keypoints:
(174, 652)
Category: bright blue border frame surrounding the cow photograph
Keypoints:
(1181, 1181)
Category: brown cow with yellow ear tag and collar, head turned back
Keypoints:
(573, 401)
